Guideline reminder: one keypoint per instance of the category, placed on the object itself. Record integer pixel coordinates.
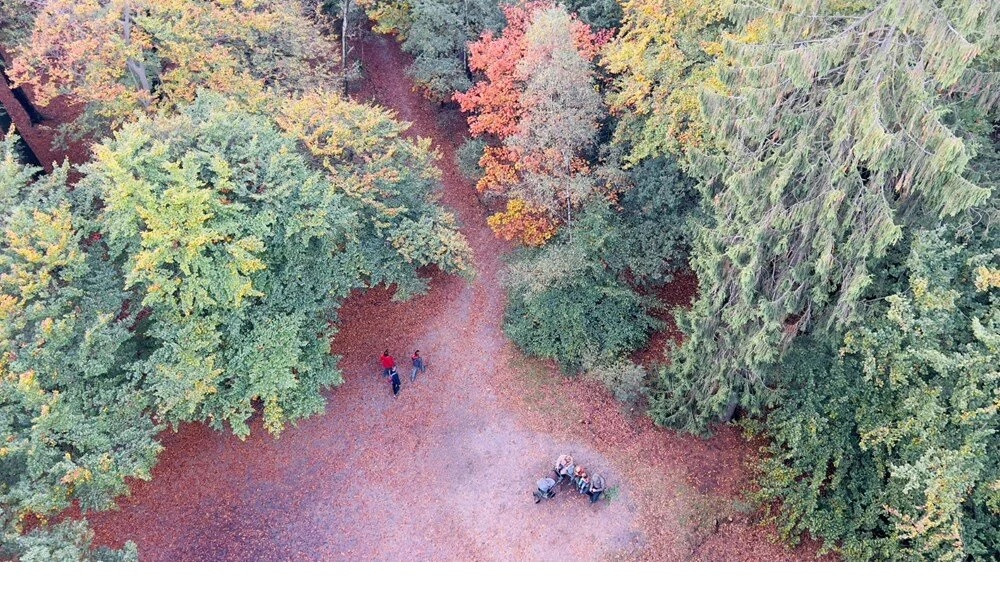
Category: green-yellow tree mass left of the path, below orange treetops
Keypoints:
(193, 274)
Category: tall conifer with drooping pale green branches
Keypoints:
(836, 139)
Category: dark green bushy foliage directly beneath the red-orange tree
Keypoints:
(574, 300)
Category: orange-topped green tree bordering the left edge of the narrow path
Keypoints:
(392, 180)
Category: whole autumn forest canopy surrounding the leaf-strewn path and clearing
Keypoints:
(825, 171)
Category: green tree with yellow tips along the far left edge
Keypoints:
(72, 424)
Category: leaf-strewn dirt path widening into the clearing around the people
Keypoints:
(444, 472)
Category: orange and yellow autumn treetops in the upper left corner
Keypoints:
(119, 57)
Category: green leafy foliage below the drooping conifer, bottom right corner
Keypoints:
(887, 446)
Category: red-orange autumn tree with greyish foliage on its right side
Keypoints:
(538, 107)
